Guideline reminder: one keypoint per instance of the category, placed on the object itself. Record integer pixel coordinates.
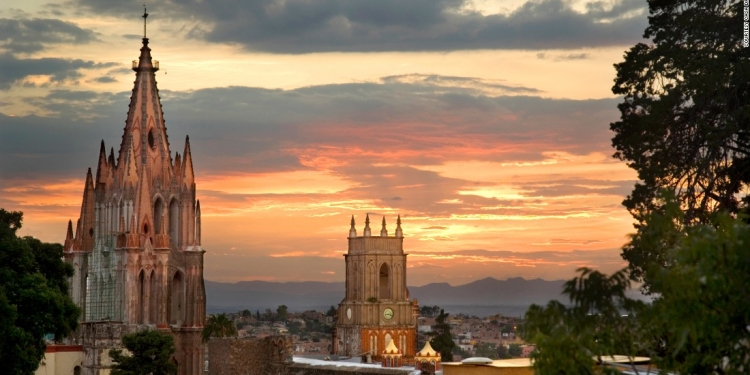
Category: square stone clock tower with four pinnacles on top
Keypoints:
(376, 309)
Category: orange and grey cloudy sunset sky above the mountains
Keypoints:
(484, 124)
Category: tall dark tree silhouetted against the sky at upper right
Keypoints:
(685, 111)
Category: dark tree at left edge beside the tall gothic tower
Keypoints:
(34, 298)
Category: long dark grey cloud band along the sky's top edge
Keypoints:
(300, 26)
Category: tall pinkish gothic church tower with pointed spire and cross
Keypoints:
(136, 249)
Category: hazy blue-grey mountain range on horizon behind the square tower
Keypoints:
(482, 297)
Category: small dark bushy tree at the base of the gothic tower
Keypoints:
(150, 352)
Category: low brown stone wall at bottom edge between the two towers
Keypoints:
(273, 356)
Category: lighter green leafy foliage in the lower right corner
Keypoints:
(698, 323)
